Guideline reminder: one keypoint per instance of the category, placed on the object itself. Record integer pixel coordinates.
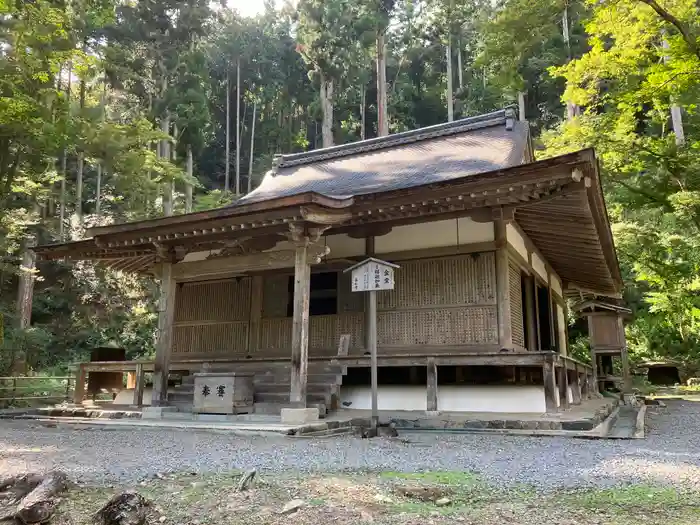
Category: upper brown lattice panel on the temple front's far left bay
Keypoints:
(227, 300)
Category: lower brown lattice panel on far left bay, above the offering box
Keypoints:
(212, 339)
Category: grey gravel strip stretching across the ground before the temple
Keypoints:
(670, 455)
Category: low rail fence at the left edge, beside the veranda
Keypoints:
(31, 390)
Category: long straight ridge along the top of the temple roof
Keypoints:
(494, 118)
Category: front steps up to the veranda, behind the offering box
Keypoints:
(272, 384)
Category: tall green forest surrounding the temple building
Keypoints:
(116, 110)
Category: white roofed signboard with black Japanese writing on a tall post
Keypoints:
(372, 275)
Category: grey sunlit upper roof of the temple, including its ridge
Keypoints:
(434, 154)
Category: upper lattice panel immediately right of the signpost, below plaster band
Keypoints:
(446, 281)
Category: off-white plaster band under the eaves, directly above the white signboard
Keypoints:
(454, 232)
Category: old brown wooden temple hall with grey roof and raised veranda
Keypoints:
(490, 245)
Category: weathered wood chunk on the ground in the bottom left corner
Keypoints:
(31, 498)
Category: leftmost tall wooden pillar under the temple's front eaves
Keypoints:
(166, 315)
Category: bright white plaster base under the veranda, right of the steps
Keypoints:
(451, 398)
